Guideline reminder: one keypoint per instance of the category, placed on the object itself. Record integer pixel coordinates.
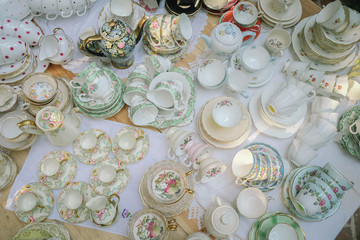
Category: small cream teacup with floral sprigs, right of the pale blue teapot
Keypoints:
(277, 41)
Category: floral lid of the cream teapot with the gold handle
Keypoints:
(49, 118)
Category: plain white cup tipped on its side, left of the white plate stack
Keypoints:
(237, 82)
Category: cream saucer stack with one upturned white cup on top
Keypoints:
(224, 122)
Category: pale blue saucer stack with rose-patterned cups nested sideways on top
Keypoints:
(313, 193)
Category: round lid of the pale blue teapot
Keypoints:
(228, 33)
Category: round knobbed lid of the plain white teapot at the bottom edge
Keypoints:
(225, 220)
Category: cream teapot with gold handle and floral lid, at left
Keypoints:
(60, 129)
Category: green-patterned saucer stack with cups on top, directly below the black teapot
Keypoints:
(98, 92)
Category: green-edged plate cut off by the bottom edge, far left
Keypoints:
(46, 230)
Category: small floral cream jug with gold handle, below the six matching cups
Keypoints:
(104, 209)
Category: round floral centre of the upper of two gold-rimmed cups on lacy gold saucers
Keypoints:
(168, 185)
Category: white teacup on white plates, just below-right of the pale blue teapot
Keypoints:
(255, 58)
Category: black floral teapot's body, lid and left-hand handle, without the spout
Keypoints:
(115, 40)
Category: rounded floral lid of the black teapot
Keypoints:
(114, 30)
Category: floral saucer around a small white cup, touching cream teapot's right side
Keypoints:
(98, 153)
